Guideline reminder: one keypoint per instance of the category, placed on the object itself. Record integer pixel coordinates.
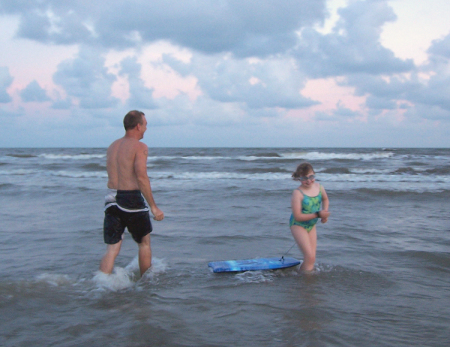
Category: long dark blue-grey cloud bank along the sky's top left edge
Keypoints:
(246, 28)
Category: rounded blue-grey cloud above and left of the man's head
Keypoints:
(87, 79)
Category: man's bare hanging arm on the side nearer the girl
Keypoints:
(140, 168)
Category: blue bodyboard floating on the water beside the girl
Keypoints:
(252, 264)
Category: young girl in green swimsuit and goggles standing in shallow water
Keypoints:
(306, 202)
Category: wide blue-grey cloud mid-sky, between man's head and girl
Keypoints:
(256, 83)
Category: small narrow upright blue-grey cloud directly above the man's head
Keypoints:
(141, 97)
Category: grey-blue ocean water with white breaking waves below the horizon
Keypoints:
(382, 275)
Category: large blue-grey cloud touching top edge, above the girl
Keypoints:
(354, 45)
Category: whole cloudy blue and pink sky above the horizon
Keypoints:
(226, 73)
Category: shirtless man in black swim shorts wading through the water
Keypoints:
(128, 183)
